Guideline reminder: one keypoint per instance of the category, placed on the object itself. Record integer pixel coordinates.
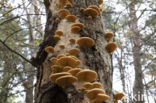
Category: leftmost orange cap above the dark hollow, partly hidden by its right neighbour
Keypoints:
(53, 77)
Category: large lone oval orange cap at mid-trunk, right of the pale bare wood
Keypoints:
(85, 42)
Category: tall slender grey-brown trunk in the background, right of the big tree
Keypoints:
(138, 84)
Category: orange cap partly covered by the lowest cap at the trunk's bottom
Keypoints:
(91, 94)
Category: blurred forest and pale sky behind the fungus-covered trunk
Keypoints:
(22, 25)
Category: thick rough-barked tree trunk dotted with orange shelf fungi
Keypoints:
(95, 58)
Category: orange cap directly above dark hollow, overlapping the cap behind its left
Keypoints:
(65, 80)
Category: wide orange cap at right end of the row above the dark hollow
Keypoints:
(87, 75)
